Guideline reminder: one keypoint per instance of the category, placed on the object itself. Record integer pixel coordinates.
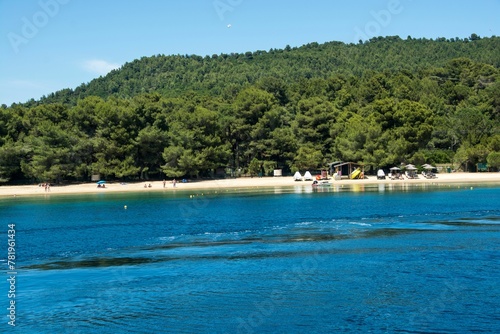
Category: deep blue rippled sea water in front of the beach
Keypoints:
(386, 258)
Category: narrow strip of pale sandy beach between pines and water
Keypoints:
(238, 183)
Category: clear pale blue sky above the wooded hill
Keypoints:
(49, 45)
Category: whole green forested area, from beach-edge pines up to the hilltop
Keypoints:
(380, 103)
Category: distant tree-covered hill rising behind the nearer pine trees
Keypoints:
(226, 74)
